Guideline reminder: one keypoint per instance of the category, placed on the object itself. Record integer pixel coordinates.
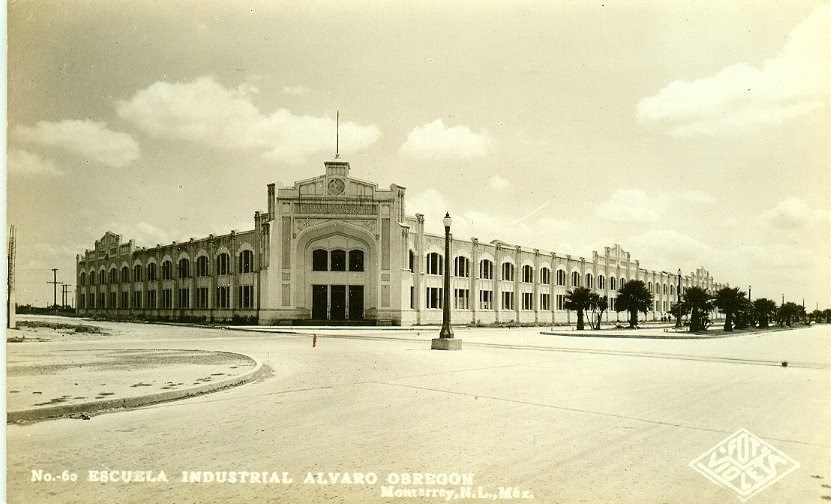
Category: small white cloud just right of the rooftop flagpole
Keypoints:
(434, 140)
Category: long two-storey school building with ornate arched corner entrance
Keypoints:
(334, 249)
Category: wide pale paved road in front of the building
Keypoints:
(567, 419)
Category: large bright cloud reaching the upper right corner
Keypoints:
(745, 97)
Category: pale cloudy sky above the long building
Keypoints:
(692, 133)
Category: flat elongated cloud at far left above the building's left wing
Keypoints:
(88, 138)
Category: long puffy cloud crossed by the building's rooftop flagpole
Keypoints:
(204, 111)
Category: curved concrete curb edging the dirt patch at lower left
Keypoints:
(63, 410)
